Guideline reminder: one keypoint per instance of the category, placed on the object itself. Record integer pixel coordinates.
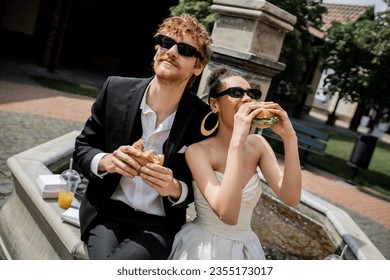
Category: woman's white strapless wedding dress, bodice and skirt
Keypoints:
(208, 238)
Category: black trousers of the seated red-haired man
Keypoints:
(123, 233)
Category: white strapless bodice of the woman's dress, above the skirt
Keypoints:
(207, 219)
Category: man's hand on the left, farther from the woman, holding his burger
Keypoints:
(121, 161)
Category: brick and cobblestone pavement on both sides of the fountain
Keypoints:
(31, 115)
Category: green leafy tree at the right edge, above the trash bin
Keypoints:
(358, 54)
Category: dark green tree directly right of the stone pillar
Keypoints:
(299, 50)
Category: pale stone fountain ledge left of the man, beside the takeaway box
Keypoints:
(44, 235)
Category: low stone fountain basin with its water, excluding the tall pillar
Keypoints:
(31, 226)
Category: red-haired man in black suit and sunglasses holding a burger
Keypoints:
(131, 211)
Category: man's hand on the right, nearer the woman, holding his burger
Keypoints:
(161, 179)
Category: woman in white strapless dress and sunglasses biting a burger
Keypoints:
(225, 172)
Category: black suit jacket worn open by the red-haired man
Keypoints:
(116, 120)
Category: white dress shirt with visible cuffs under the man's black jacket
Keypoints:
(135, 192)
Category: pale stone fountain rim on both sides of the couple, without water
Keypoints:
(45, 236)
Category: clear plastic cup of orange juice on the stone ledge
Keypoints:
(71, 179)
